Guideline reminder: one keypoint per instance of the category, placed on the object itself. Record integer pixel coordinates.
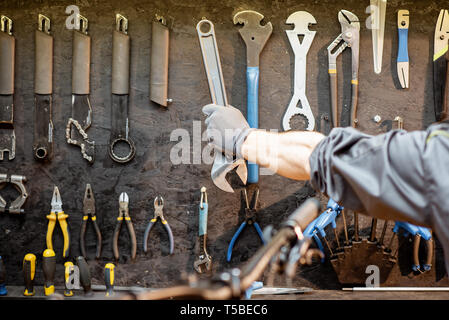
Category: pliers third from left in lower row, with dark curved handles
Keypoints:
(124, 214)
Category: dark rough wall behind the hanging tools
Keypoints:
(151, 173)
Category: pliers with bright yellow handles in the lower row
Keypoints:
(58, 214)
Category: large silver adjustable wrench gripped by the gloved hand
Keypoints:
(222, 163)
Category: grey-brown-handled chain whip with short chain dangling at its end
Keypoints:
(81, 118)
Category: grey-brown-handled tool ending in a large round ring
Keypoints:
(120, 92)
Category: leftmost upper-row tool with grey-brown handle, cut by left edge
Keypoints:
(7, 50)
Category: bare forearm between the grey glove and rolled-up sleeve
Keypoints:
(286, 153)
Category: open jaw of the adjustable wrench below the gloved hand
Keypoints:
(222, 166)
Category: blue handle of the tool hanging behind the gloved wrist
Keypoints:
(252, 83)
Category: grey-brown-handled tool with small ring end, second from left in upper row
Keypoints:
(43, 88)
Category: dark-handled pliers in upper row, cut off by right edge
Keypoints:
(440, 66)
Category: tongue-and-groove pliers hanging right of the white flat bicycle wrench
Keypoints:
(349, 37)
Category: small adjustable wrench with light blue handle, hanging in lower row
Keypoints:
(204, 261)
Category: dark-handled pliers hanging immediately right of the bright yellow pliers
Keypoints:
(89, 211)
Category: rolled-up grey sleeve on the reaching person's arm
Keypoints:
(382, 176)
